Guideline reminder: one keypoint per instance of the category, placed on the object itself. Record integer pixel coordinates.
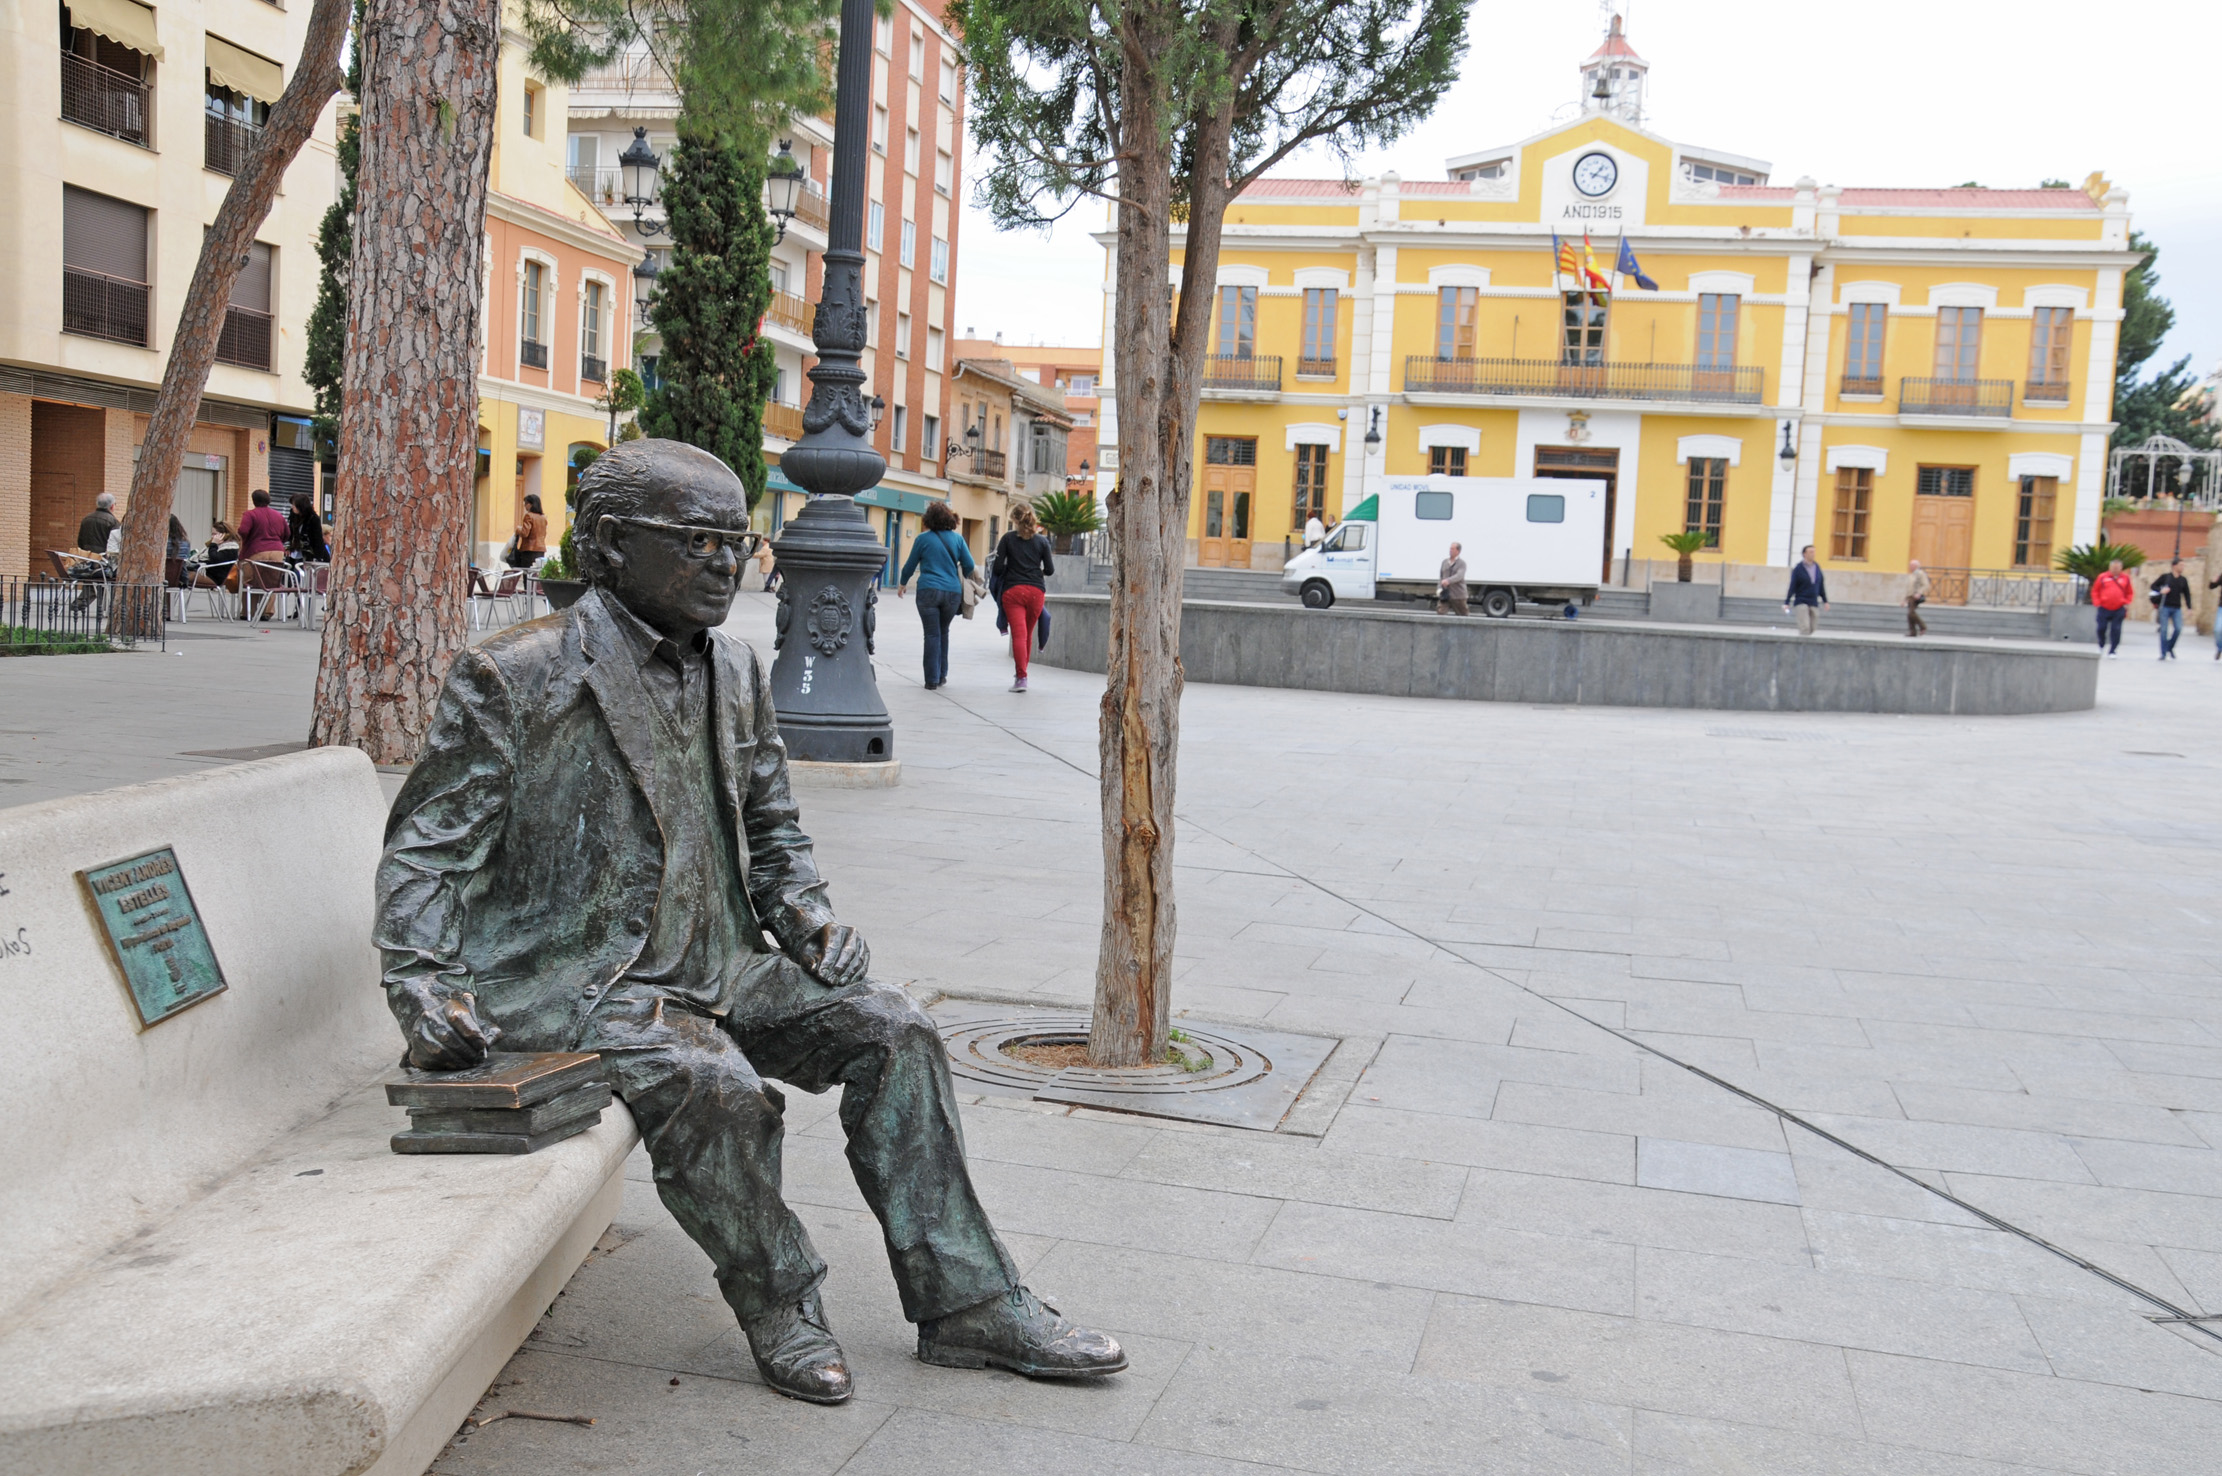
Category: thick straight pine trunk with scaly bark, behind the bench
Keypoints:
(410, 417)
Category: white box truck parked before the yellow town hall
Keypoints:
(1523, 537)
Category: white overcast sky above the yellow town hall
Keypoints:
(1890, 92)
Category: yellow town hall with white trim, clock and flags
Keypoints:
(1881, 372)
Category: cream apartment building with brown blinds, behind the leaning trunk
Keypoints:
(123, 126)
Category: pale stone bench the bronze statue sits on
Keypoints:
(210, 1259)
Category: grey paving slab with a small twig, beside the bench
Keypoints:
(650, 1422)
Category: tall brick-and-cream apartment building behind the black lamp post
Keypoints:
(914, 174)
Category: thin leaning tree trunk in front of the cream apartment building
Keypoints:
(208, 299)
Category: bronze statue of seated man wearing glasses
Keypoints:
(599, 852)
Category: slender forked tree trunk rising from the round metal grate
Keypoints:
(1159, 388)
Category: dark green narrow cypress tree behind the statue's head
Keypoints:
(717, 368)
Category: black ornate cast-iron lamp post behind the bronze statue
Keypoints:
(821, 684)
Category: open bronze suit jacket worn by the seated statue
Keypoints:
(526, 857)
